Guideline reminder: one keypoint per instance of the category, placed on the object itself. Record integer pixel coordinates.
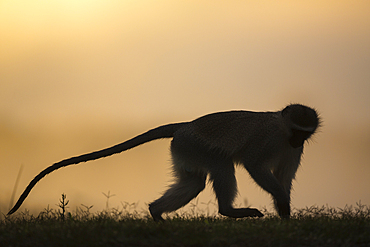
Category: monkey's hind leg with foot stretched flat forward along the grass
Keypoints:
(224, 185)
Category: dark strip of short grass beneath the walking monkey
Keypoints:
(313, 226)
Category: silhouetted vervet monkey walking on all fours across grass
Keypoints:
(268, 144)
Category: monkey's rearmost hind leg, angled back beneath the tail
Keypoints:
(186, 187)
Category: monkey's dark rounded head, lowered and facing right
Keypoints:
(302, 122)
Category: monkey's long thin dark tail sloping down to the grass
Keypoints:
(165, 131)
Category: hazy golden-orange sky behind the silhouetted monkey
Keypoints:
(78, 76)
